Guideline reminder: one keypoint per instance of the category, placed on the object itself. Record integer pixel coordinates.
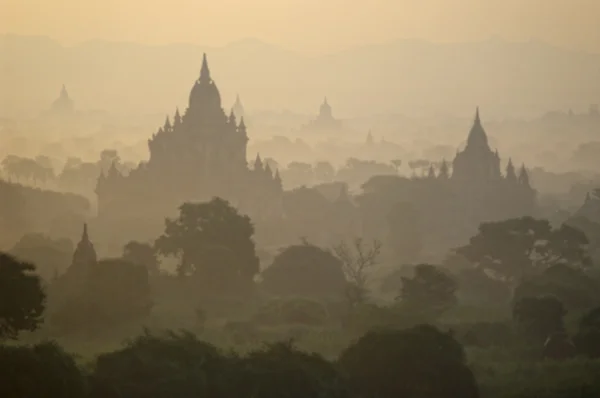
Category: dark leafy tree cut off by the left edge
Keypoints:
(22, 299)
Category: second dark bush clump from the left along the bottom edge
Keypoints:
(175, 365)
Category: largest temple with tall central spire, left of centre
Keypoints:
(194, 156)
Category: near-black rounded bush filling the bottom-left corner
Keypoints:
(40, 371)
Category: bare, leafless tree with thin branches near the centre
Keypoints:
(357, 260)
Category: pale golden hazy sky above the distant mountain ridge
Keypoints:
(306, 25)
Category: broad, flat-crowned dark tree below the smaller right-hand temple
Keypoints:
(517, 247)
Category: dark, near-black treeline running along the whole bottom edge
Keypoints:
(421, 361)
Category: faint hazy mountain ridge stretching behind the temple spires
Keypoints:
(407, 76)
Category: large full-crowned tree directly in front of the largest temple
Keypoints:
(214, 242)
